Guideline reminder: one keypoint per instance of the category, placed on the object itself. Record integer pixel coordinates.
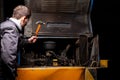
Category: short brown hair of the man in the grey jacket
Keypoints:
(20, 11)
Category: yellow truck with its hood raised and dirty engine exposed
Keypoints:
(66, 48)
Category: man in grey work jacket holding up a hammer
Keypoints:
(12, 41)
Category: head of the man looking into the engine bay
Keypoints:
(22, 13)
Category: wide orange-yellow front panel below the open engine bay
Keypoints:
(51, 73)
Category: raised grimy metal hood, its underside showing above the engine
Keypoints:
(63, 17)
